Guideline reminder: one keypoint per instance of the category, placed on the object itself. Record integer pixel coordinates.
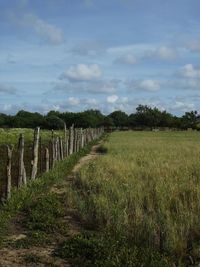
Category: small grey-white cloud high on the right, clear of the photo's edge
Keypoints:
(163, 52)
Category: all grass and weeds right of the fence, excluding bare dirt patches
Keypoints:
(137, 205)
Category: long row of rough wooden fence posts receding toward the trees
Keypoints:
(29, 159)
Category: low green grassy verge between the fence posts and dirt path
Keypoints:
(40, 210)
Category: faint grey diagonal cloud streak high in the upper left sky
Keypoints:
(48, 32)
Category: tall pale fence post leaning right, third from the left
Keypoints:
(35, 153)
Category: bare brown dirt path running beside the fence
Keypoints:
(42, 256)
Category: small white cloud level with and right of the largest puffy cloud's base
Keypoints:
(146, 85)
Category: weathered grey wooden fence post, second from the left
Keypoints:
(22, 171)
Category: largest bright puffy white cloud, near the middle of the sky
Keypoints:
(82, 72)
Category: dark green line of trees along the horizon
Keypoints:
(144, 117)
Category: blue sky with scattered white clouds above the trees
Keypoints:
(73, 55)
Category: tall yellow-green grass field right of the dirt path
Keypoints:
(143, 197)
